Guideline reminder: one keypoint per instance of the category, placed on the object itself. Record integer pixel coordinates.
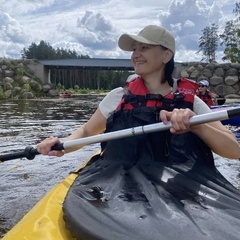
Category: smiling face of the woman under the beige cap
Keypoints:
(148, 59)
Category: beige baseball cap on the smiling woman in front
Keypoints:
(151, 34)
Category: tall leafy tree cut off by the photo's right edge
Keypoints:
(231, 37)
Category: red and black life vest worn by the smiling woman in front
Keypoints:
(138, 108)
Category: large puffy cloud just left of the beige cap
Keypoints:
(92, 34)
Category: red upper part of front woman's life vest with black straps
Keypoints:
(137, 95)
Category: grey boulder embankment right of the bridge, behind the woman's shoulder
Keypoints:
(223, 78)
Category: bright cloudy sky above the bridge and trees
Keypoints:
(93, 26)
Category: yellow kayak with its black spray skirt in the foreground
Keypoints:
(118, 200)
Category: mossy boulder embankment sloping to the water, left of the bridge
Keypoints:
(18, 82)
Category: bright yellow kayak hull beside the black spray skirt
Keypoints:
(45, 220)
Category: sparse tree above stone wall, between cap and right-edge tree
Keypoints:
(208, 42)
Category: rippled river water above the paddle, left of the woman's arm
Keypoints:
(28, 121)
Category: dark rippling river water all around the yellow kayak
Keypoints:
(25, 123)
